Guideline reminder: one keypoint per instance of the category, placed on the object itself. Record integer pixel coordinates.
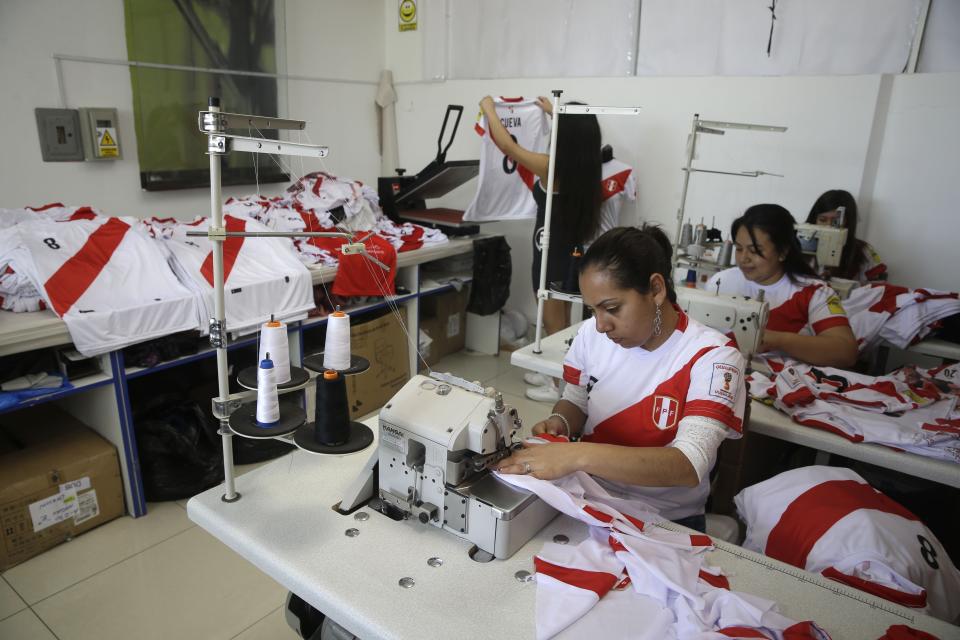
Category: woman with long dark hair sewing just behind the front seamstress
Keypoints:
(807, 321)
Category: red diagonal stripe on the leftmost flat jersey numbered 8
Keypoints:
(75, 276)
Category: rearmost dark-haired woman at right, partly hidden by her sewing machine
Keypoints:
(859, 260)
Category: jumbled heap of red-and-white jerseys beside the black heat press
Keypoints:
(322, 202)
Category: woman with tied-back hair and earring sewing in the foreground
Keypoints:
(650, 392)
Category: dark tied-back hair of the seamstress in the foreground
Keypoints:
(631, 255)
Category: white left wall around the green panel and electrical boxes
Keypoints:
(328, 39)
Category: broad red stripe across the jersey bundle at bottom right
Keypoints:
(816, 510)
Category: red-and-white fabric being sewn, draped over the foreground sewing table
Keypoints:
(631, 579)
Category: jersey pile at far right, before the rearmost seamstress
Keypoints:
(900, 316)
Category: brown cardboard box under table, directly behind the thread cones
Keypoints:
(384, 343)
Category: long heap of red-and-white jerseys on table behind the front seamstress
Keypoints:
(911, 409)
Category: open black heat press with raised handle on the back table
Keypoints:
(403, 197)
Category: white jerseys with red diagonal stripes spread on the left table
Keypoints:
(116, 281)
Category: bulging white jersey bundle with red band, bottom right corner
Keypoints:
(828, 520)
